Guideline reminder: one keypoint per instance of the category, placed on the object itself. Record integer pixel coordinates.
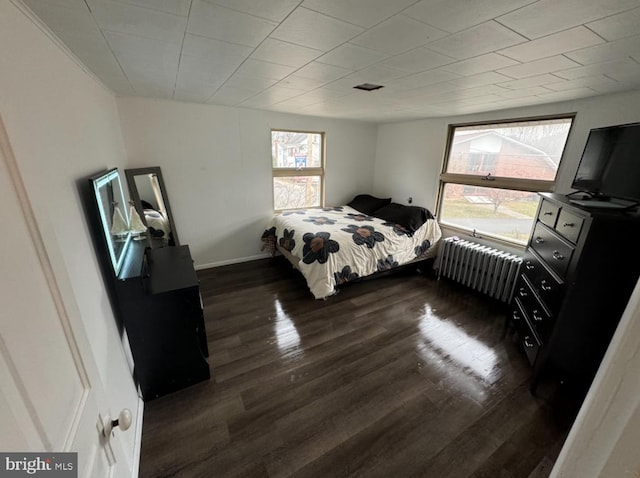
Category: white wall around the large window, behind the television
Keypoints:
(417, 148)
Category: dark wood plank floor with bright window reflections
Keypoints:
(401, 376)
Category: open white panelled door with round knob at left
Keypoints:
(51, 396)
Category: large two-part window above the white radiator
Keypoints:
(492, 173)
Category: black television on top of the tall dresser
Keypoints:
(610, 163)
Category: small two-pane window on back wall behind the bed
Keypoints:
(298, 169)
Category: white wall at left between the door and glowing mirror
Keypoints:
(63, 126)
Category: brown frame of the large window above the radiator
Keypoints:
(496, 182)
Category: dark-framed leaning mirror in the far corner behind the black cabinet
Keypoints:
(146, 188)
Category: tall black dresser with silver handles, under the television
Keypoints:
(579, 270)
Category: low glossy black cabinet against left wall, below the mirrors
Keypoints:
(158, 297)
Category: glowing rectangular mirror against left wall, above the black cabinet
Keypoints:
(114, 216)
